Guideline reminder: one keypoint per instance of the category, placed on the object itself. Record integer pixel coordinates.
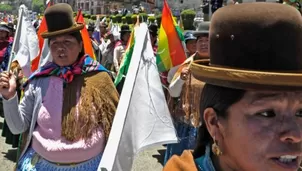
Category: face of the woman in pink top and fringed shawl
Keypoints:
(65, 49)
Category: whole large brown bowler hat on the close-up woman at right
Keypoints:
(258, 49)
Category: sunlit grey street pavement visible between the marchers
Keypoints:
(148, 160)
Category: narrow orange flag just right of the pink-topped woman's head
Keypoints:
(85, 36)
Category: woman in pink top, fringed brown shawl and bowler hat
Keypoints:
(68, 106)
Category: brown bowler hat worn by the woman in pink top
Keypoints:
(59, 20)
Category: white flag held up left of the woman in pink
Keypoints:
(28, 44)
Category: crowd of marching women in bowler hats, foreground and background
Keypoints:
(235, 101)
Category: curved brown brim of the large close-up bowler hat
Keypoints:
(245, 79)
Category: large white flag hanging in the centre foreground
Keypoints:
(142, 118)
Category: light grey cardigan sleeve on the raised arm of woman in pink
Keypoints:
(19, 116)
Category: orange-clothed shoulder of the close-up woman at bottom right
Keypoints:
(185, 162)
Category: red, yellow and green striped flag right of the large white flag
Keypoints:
(170, 51)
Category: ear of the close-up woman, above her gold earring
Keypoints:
(211, 120)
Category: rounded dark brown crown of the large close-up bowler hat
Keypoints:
(264, 37)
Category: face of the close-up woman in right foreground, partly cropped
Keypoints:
(263, 132)
